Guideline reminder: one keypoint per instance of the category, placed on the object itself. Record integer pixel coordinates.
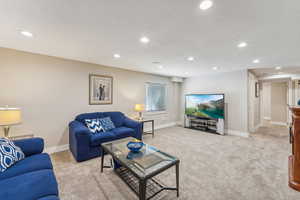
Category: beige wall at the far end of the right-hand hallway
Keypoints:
(279, 102)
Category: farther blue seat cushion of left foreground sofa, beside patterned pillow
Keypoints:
(29, 164)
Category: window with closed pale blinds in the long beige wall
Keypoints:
(155, 97)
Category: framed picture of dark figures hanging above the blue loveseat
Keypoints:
(101, 89)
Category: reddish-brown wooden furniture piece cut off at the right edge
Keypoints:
(294, 159)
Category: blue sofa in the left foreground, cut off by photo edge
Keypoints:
(31, 178)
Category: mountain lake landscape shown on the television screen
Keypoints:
(205, 105)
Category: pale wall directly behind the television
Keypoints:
(234, 85)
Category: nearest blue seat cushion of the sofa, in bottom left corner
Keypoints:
(29, 186)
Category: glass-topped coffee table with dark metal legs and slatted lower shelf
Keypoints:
(138, 170)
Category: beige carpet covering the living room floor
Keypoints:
(212, 167)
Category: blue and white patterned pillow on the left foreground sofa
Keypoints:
(9, 154)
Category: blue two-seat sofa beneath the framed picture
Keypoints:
(85, 145)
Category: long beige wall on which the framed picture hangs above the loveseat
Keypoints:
(52, 91)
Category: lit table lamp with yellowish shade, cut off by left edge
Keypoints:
(9, 117)
